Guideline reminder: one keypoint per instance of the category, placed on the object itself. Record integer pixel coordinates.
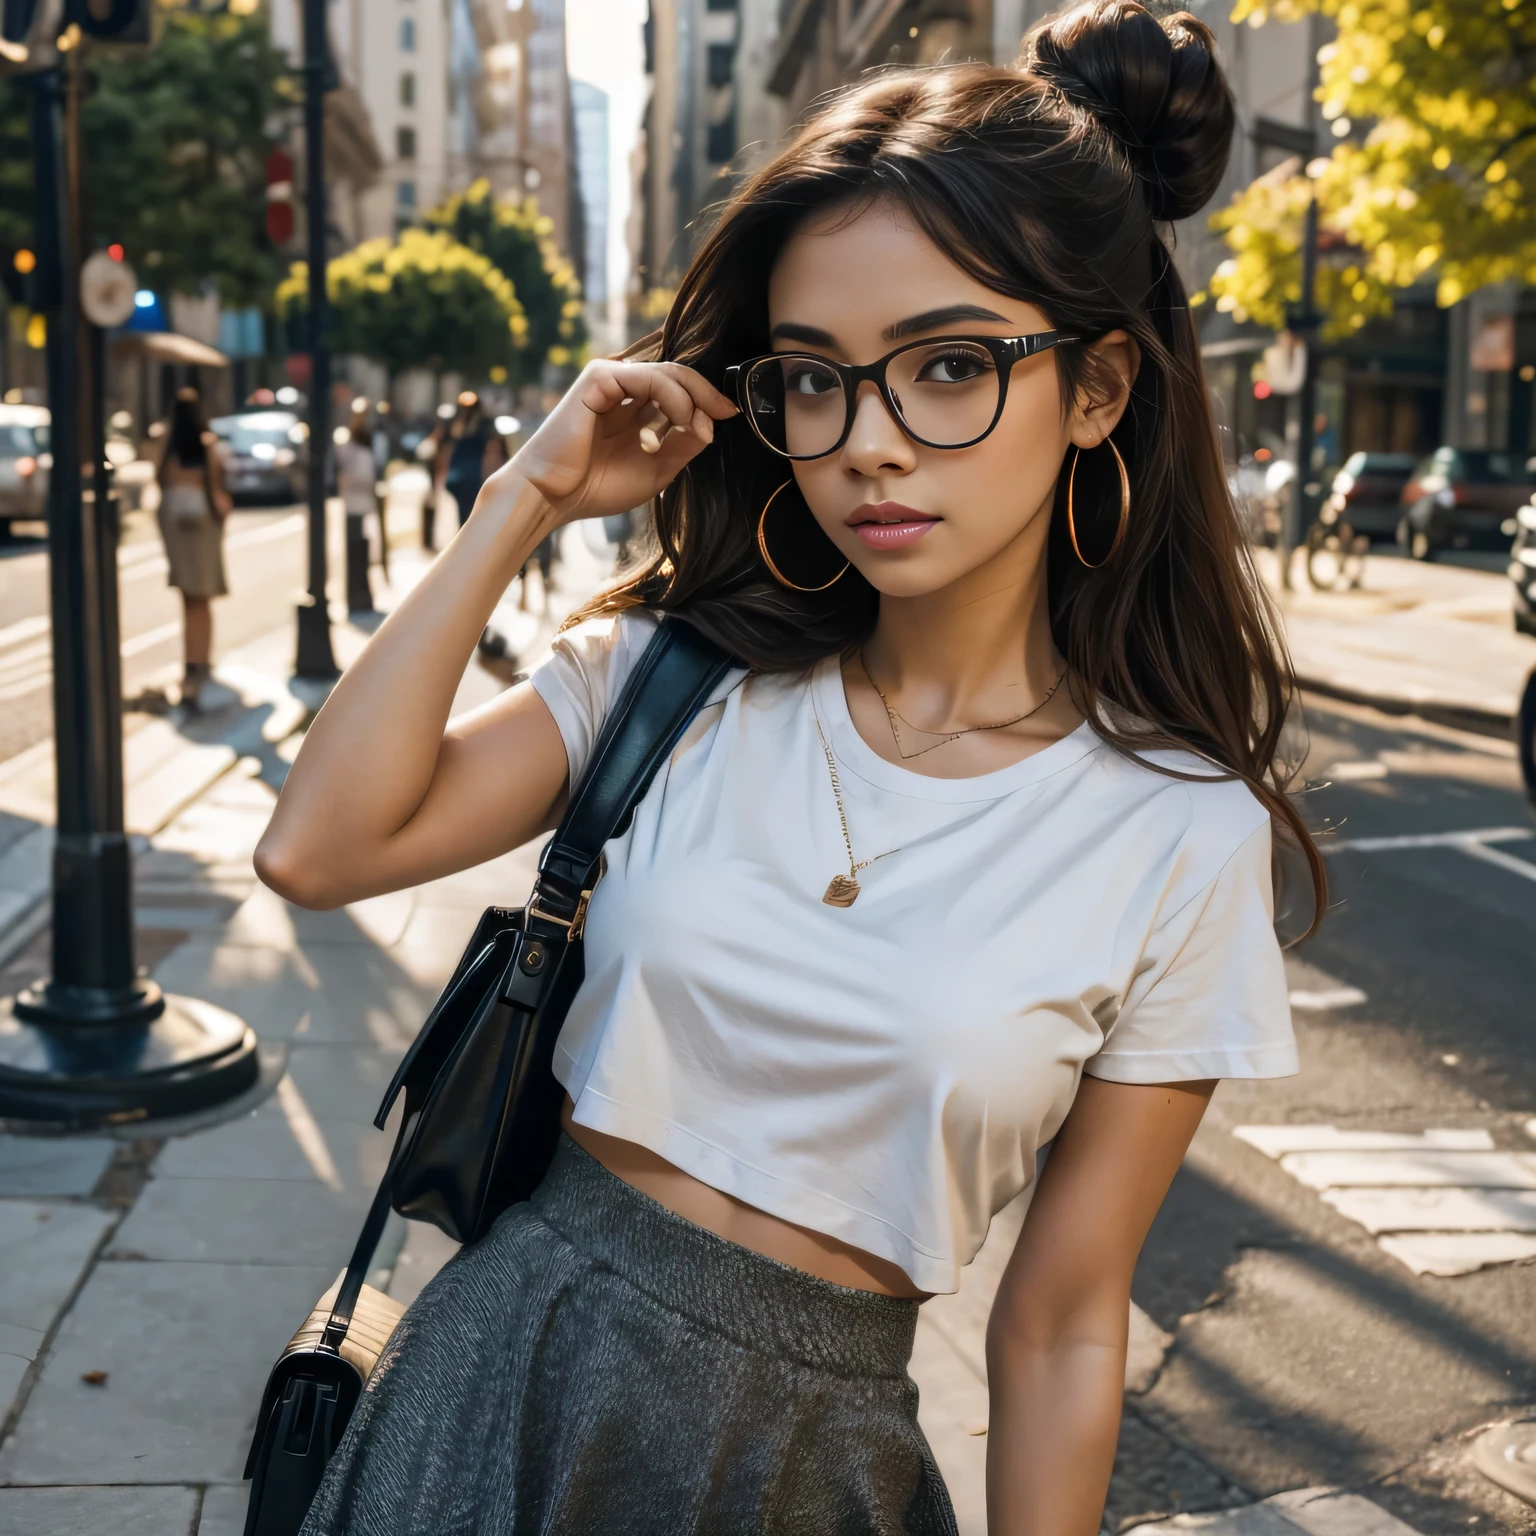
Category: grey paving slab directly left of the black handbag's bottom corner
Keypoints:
(242, 1222)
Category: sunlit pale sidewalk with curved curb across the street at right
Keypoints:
(1426, 640)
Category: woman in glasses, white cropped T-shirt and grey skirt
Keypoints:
(975, 859)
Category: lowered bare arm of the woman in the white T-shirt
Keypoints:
(1056, 1345)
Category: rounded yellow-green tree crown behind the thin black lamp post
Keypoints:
(423, 302)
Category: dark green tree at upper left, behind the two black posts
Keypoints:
(176, 147)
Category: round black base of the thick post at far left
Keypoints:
(78, 1061)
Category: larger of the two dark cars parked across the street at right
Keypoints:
(1465, 498)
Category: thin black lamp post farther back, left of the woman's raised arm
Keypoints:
(316, 658)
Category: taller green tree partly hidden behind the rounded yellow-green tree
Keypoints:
(518, 240)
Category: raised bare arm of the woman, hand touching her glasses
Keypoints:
(386, 793)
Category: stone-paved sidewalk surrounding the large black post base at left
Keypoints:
(150, 1276)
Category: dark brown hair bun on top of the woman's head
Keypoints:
(1154, 85)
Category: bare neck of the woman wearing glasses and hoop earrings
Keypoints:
(979, 647)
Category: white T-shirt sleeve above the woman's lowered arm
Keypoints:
(1211, 998)
